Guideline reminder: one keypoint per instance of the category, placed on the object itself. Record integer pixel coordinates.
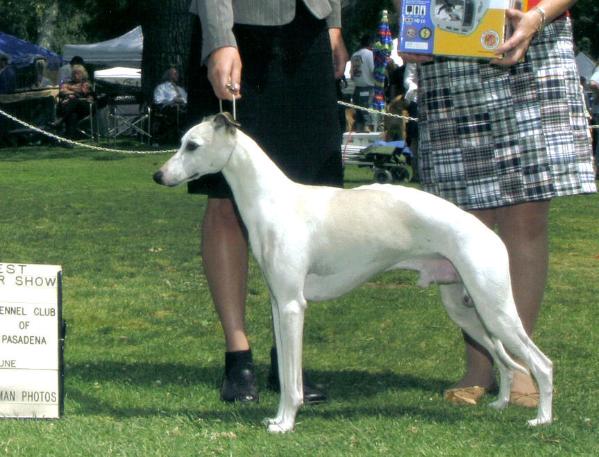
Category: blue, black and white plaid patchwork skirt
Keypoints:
(492, 136)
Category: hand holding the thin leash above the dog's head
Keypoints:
(224, 72)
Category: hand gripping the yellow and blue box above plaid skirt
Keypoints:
(525, 26)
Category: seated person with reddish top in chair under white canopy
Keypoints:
(74, 98)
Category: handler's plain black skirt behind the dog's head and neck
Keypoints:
(288, 104)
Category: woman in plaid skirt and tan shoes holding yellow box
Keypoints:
(501, 139)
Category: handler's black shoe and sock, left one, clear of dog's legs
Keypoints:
(239, 381)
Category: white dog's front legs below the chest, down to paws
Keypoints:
(288, 323)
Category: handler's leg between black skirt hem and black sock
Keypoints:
(225, 257)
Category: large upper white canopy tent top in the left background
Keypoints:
(123, 51)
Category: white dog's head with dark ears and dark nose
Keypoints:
(205, 149)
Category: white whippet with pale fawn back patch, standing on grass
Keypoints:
(311, 244)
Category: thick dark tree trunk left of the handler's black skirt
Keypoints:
(166, 26)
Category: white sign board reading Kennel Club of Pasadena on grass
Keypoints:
(30, 341)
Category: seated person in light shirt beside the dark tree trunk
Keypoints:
(170, 100)
